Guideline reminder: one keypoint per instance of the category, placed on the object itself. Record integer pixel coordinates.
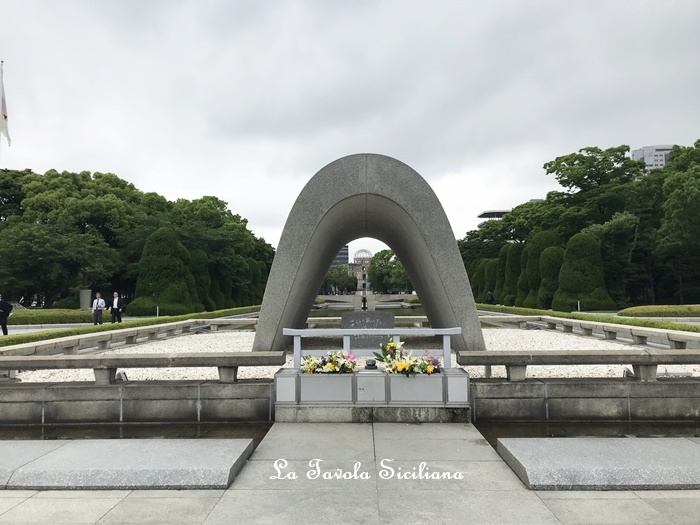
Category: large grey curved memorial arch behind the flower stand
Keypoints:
(367, 195)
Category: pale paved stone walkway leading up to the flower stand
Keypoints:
(380, 492)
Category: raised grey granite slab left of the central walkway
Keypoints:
(134, 464)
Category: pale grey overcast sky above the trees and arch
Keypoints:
(247, 100)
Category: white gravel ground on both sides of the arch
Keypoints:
(496, 339)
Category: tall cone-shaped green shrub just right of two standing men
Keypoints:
(165, 278)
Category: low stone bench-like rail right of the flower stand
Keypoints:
(643, 361)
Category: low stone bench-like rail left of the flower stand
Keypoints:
(105, 367)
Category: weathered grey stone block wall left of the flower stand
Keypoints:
(136, 402)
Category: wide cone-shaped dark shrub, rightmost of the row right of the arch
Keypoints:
(581, 277)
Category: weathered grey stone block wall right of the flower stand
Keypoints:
(585, 399)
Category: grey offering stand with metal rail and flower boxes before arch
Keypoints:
(371, 395)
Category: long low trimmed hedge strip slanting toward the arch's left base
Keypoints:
(54, 334)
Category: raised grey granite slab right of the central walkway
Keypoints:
(603, 463)
